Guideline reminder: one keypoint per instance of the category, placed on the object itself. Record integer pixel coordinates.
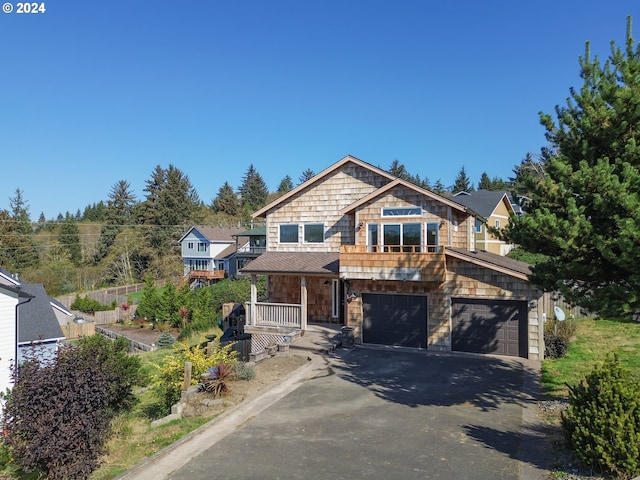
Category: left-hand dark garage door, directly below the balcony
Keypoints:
(399, 320)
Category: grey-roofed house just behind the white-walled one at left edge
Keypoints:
(39, 319)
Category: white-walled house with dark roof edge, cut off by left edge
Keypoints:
(12, 299)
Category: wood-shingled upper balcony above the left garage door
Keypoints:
(409, 263)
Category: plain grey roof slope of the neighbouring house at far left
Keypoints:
(36, 321)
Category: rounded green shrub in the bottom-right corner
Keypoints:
(602, 422)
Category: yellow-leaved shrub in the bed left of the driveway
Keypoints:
(169, 381)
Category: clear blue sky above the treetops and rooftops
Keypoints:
(96, 92)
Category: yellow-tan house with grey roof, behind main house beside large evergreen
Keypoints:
(495, 209)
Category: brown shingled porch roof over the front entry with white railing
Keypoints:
(309, 263)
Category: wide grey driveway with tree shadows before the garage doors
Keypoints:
(384, 413)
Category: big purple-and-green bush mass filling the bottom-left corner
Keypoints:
(57, 418)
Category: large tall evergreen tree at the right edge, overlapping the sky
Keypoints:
(584, 214)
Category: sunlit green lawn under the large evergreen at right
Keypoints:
(593, 340)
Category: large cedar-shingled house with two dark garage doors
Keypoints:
(357, 246)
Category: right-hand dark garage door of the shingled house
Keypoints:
(489, 326)
